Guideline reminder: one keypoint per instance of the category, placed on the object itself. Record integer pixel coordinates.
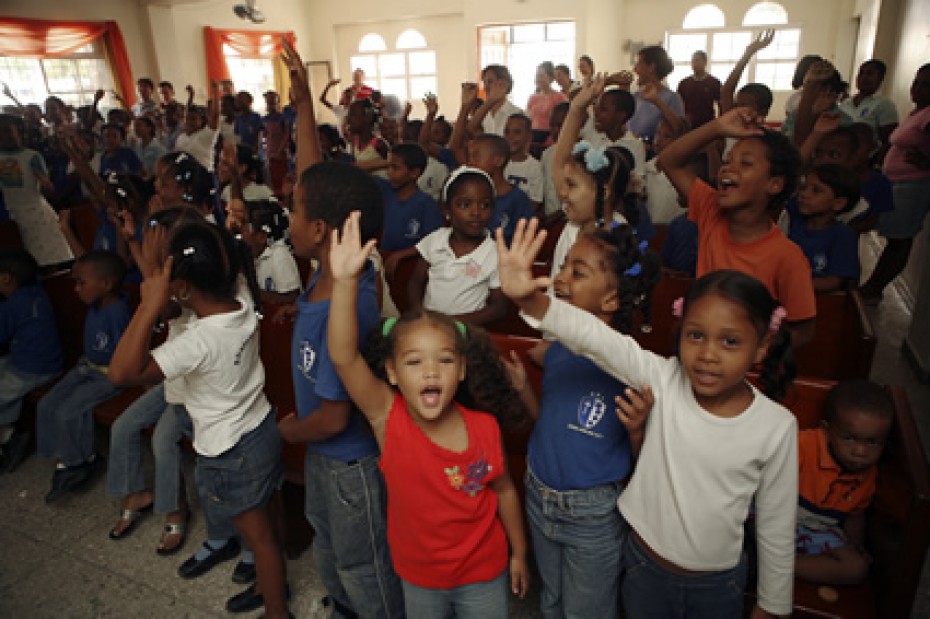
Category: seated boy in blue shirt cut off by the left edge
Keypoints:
(27, 326)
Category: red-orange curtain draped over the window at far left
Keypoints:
(49, 39)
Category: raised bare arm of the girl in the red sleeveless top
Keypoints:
(347, 259)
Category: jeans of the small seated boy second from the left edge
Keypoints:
(65, 421)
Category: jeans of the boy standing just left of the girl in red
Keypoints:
(346, 505)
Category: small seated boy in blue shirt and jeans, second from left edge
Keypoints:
(65, 420)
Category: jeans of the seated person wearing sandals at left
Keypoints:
(125, 474)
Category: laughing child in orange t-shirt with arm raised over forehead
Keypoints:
(735, 222)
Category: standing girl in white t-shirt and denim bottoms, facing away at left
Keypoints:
(237, 443)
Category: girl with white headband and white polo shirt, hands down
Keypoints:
(456, 269)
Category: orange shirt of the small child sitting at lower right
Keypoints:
(827, 493)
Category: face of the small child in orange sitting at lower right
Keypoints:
(856, 438)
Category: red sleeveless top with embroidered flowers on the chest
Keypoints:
(443, 528)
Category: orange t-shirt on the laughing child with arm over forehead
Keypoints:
(774, 260)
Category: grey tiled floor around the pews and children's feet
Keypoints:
(58, 562)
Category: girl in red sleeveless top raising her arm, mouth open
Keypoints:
(452, 506)
